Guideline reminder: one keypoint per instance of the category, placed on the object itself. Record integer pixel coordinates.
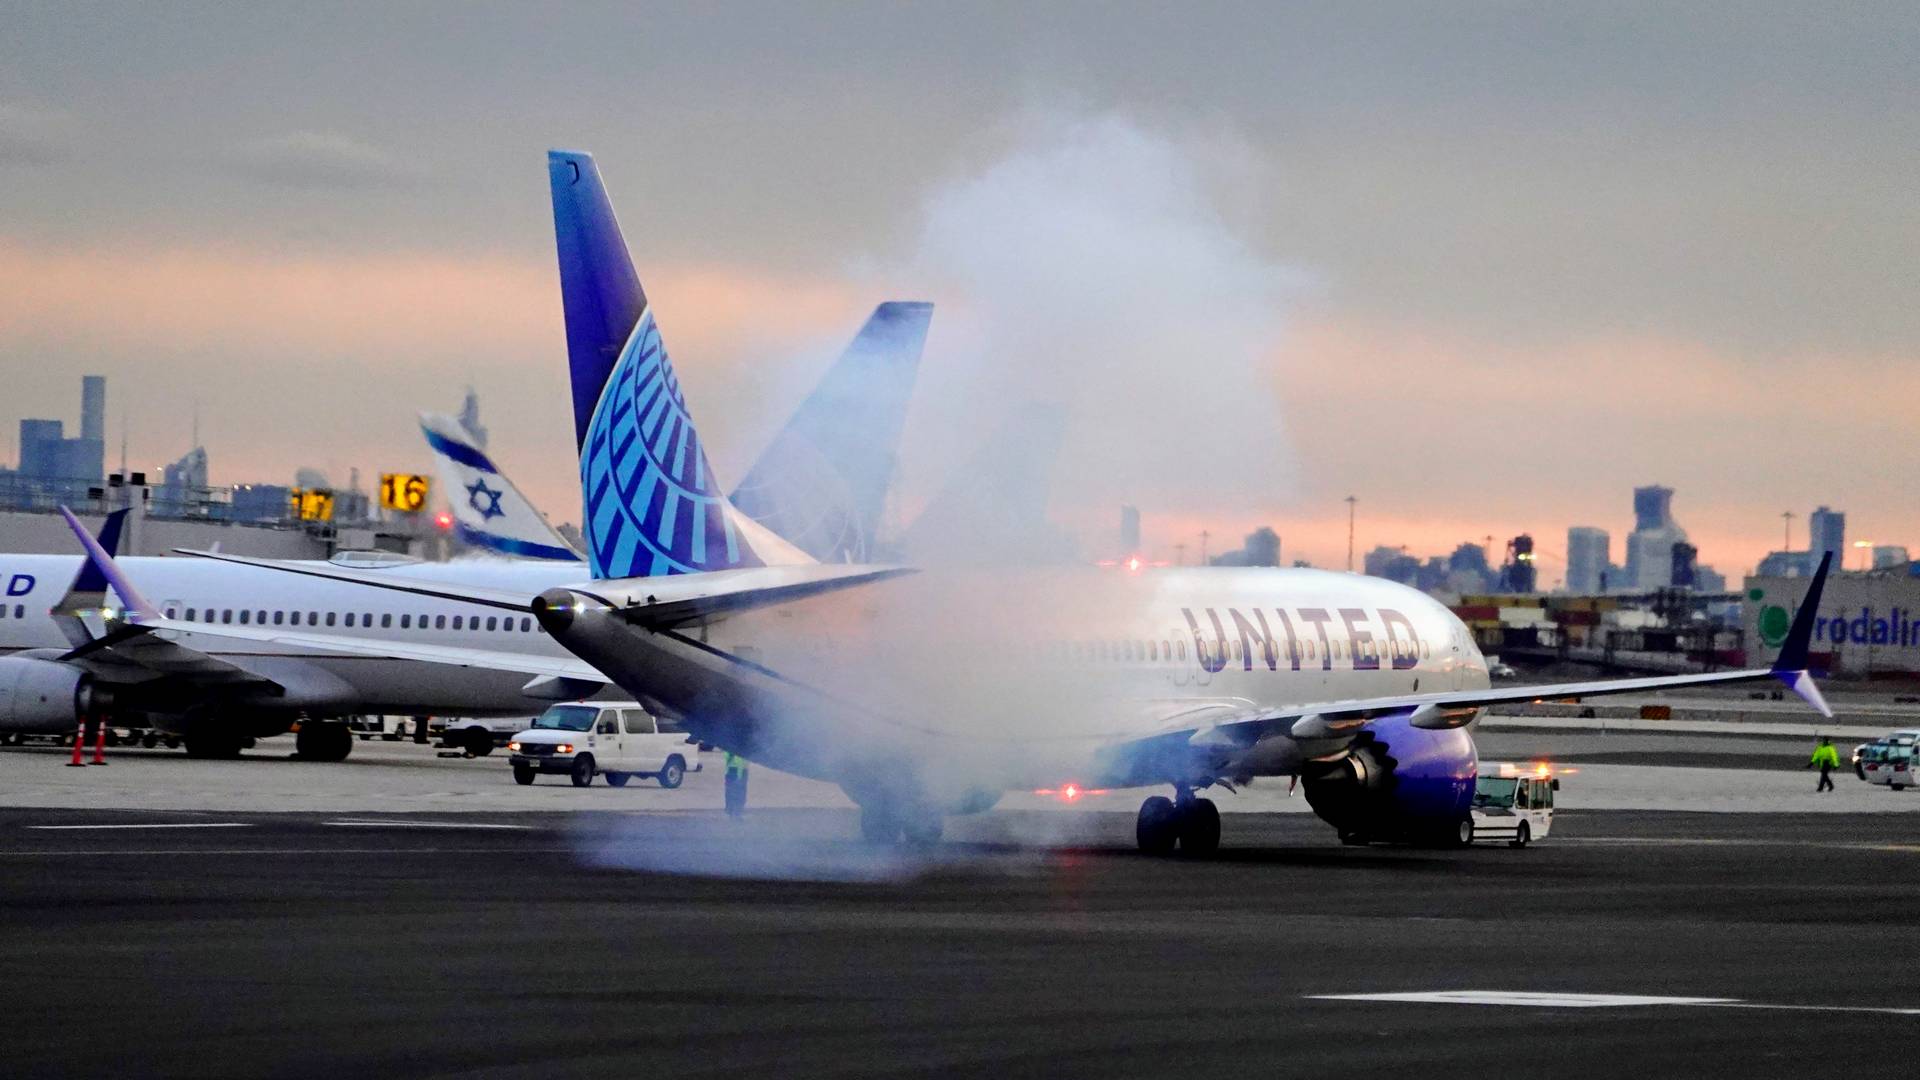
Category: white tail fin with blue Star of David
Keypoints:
(489, 510)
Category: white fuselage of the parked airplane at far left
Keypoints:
(245, 597)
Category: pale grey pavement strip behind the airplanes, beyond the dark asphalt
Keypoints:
(1620, 770)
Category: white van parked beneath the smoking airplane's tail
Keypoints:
(612, 739)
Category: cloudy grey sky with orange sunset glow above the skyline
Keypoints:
(1483, 282)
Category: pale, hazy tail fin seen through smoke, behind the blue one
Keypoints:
(823, 483)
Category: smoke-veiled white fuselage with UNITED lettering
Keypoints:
(1009, 679)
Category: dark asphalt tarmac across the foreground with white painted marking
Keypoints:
(613, 945)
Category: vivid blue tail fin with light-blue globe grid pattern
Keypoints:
(652, 501)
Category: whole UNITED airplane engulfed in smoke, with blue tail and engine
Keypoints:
(926, 695)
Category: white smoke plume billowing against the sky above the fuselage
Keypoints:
(1092, 268)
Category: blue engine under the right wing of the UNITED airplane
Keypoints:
(1399, 783)
